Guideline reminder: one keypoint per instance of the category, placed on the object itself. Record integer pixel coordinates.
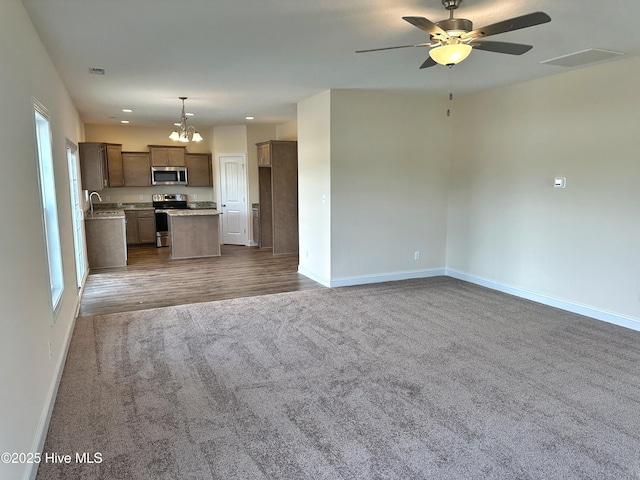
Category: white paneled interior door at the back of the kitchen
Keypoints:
(233, 199)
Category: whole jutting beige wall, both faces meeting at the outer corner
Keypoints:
(379, 160)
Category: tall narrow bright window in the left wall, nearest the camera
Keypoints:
(51, 228)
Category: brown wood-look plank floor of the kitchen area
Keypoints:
(151, 279)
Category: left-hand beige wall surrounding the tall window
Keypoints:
(28, 377)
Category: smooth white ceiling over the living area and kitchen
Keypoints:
(234, 58)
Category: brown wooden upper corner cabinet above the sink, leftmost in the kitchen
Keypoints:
(101, 165)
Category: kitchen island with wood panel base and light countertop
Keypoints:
(194, 233)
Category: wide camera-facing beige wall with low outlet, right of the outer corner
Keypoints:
(388, 183)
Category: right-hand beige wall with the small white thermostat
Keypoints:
(508, 225)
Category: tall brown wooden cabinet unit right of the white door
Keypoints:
(278, 181)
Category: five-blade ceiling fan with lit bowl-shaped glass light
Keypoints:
(453, 39)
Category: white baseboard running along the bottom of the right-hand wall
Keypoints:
(586, 310)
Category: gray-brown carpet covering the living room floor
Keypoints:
(419, 379)
